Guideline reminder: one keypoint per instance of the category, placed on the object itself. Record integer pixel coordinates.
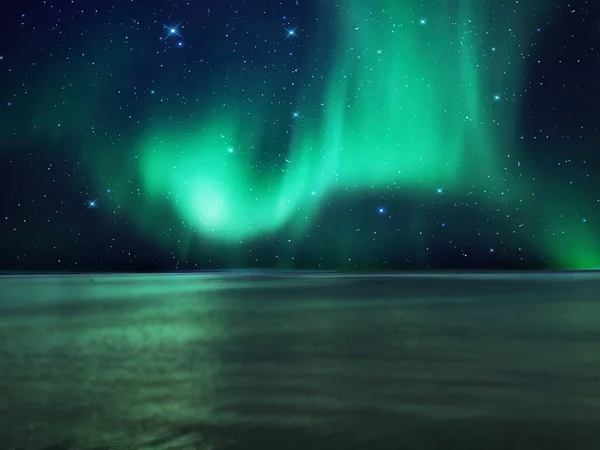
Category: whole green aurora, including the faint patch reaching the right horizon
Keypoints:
(406, 102)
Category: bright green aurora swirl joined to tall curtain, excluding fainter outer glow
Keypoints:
(404, 103)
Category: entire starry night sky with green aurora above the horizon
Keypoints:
(347, 134)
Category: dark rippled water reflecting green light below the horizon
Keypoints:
(289, 361)
